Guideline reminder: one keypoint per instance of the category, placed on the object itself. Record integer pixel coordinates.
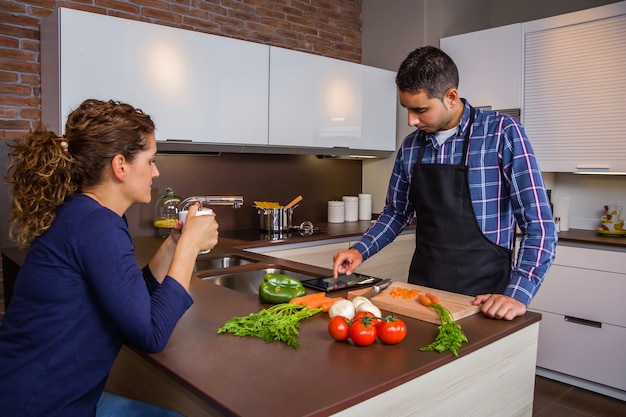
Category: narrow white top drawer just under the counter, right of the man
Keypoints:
(597, 259)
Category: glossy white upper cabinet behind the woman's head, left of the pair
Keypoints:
(196, 87)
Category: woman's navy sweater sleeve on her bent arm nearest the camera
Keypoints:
(144, 311)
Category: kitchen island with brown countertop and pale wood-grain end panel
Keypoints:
(201, 373)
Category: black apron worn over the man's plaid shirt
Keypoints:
(451, 251)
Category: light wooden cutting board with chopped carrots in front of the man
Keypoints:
(459, 305)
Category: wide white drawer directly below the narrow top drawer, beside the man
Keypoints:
(583, 293)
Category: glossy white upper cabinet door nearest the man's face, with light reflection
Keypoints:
(320, 102)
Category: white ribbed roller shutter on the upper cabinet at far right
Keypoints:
(574, 85)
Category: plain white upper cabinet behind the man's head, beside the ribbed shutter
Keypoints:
(490, 66)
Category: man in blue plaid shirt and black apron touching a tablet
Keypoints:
(468, 176)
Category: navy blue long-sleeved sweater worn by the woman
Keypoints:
(78, 297)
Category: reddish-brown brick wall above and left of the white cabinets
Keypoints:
(325, 27)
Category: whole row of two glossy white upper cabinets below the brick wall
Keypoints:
(212, 93)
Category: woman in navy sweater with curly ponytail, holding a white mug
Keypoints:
(80, 293)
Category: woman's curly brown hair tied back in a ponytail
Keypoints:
(46, 169)
